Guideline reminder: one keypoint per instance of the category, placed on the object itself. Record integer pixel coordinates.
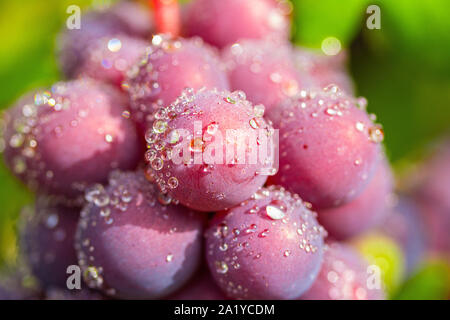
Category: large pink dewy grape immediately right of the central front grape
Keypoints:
(329, 146)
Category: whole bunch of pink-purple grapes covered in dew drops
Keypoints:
(119, 156)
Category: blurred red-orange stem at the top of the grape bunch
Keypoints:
(167, 16)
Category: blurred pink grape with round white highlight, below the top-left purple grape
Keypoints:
(109, 58)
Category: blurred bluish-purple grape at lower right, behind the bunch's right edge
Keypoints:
(406, 227)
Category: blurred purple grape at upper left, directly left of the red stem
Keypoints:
(126, 18)
